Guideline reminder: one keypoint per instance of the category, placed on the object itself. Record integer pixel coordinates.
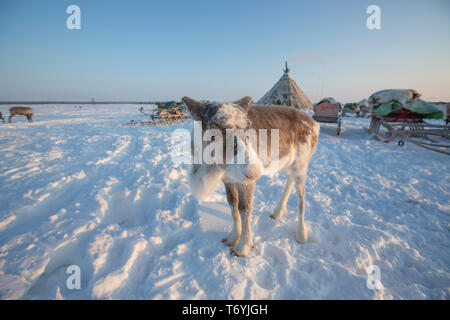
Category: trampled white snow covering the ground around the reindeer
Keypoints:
(78, 187)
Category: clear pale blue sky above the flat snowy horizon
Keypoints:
(221, 50)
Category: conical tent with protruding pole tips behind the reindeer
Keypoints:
(287, 93)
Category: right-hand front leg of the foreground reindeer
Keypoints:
(245, 206)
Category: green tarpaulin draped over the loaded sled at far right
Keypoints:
(426, 109)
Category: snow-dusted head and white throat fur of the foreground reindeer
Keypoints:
(218, 123)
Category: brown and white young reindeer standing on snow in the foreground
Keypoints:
(297, 139)
